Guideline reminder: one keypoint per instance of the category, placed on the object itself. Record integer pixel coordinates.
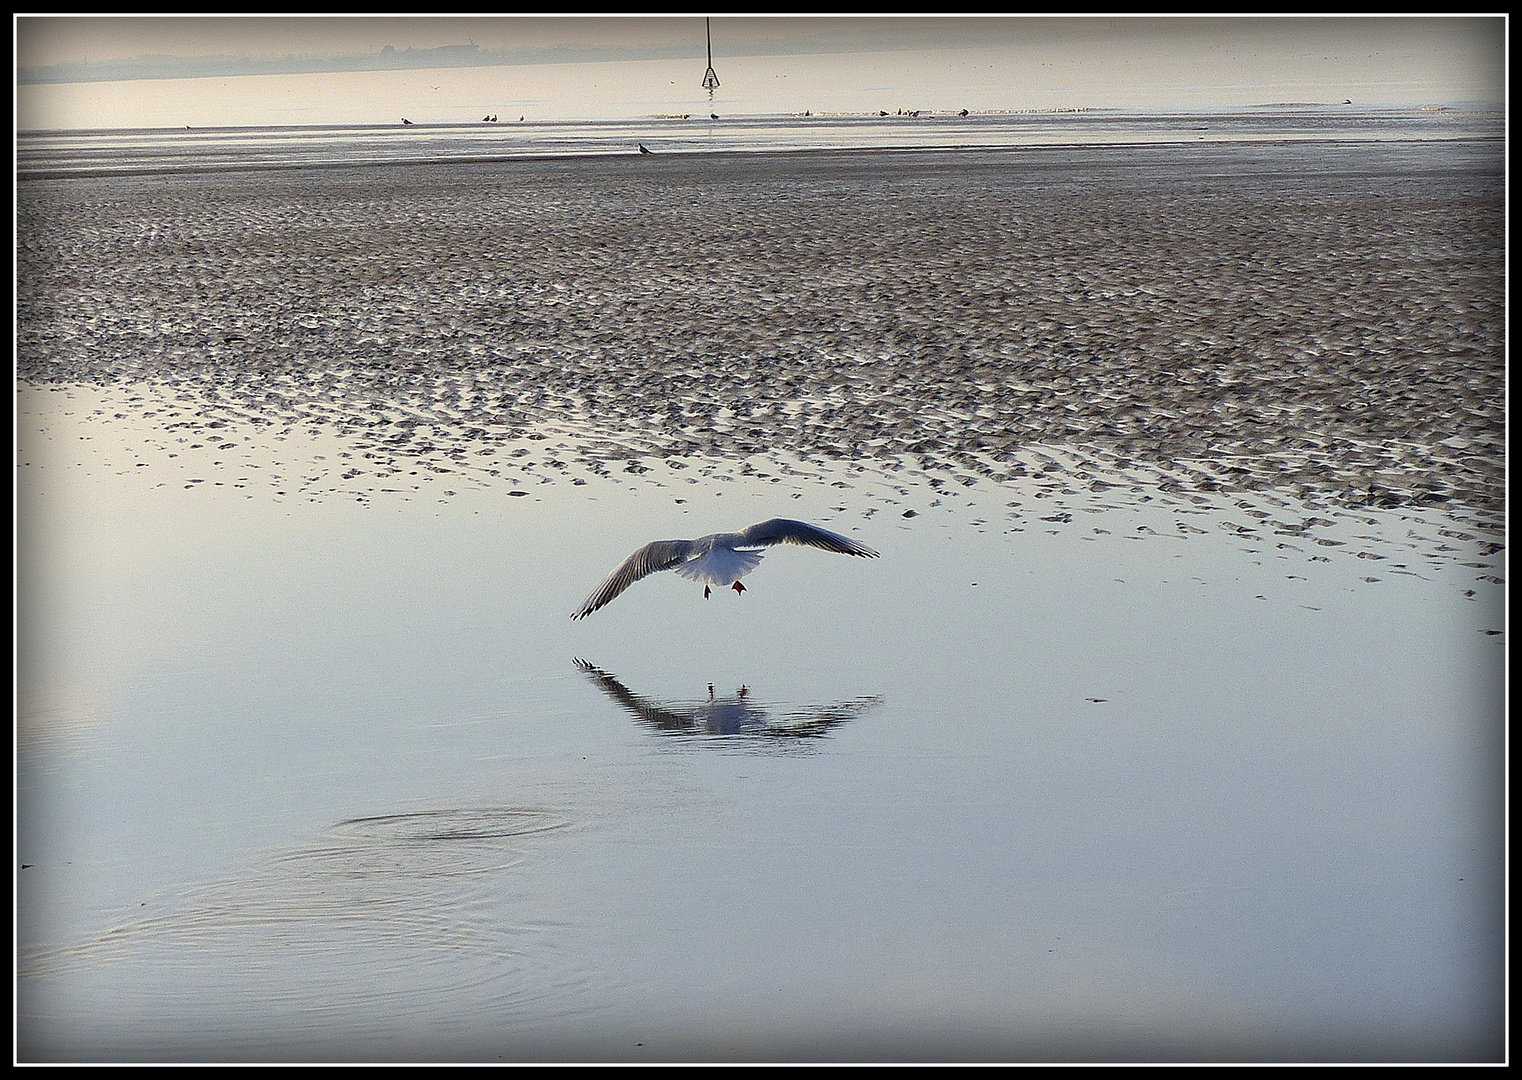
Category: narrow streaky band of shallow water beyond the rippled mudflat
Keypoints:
(223, 147)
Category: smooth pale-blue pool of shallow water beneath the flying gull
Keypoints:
(322, 778)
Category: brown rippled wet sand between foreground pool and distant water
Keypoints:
(1322, 322)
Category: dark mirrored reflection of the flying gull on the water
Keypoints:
(728, 716)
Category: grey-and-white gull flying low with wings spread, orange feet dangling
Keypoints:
(716, 561)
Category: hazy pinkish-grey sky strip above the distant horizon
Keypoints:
(53, 40)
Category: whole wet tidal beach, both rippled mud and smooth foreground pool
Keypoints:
(1167, 728)
